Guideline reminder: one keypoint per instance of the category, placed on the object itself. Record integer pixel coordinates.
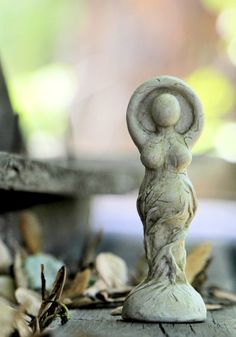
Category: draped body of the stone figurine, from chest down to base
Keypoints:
(166, 205)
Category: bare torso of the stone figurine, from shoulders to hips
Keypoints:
(166, 158)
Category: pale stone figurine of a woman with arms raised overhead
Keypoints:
(165, 119)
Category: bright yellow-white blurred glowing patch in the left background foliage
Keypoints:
(43, 97)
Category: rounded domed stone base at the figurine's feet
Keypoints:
(152, 301)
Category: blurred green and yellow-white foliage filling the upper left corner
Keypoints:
(30, 35)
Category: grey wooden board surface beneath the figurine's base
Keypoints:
(101, 323)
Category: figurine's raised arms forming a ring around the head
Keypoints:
(191, 123)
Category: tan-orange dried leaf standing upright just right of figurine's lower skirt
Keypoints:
(197, 260)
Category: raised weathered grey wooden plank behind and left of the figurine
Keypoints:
(22, 174)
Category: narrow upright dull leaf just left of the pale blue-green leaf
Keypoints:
(18, 268)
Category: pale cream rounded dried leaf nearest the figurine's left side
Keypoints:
(112, 270)
